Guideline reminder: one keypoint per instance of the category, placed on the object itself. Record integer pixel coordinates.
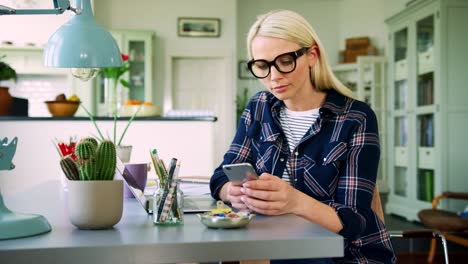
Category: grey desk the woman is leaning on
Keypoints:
(136, 240)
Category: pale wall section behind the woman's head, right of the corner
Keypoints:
(333, 20)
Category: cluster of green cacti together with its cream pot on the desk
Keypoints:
(95, 199)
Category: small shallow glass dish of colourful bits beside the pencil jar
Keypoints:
(211, 220)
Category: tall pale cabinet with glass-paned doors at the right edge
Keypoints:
(428, 115)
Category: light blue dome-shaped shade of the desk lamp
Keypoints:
(82, 43)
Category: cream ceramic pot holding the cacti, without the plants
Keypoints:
(95, 204)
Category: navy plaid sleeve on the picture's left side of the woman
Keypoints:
(239, 151)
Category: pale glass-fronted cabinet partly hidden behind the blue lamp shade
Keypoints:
(138, 45)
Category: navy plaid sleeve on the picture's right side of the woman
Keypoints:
(358, 176)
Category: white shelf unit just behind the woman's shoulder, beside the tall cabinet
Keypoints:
(367, 79)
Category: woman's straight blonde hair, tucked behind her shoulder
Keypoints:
(290, 26)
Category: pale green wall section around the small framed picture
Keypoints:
(161, 16)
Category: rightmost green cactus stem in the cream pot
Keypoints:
(106, 160)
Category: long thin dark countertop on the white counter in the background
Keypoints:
(83, 118)
